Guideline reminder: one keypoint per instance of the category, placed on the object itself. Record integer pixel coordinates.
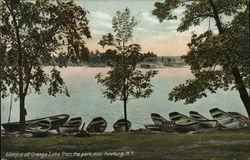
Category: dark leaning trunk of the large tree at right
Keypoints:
(235, 71)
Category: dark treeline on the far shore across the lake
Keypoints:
(149, 60)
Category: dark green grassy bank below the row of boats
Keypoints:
(218, 145)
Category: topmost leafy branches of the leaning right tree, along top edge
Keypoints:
(196, 11)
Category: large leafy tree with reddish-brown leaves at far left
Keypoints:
(33, 34)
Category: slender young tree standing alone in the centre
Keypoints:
(124, 81)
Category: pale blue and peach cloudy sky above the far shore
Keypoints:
(160, 38)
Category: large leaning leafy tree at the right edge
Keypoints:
(218, 60)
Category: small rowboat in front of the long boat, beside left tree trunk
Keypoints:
(39, 128)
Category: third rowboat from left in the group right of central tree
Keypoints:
(204, 123)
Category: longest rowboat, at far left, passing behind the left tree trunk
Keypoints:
(56, 121)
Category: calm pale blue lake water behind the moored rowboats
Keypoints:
(88, 102)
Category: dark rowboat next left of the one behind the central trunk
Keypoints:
(97, 125)
